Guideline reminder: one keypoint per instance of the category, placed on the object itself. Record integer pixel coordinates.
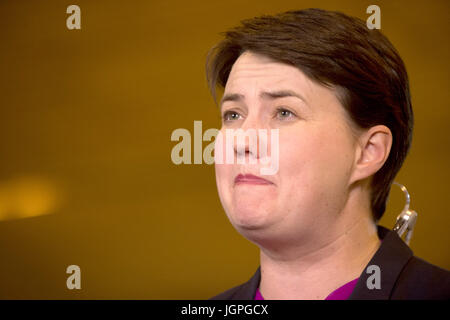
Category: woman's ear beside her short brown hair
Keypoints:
(372, 151)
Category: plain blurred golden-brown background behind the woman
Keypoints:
(86, 117)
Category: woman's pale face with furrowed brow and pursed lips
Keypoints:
(316, 153)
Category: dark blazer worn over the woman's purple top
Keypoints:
(402, 276)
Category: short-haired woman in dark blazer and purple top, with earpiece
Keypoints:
(337, 94)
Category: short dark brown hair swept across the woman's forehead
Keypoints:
(340, 52)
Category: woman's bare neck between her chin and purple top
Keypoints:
(311, 271)
